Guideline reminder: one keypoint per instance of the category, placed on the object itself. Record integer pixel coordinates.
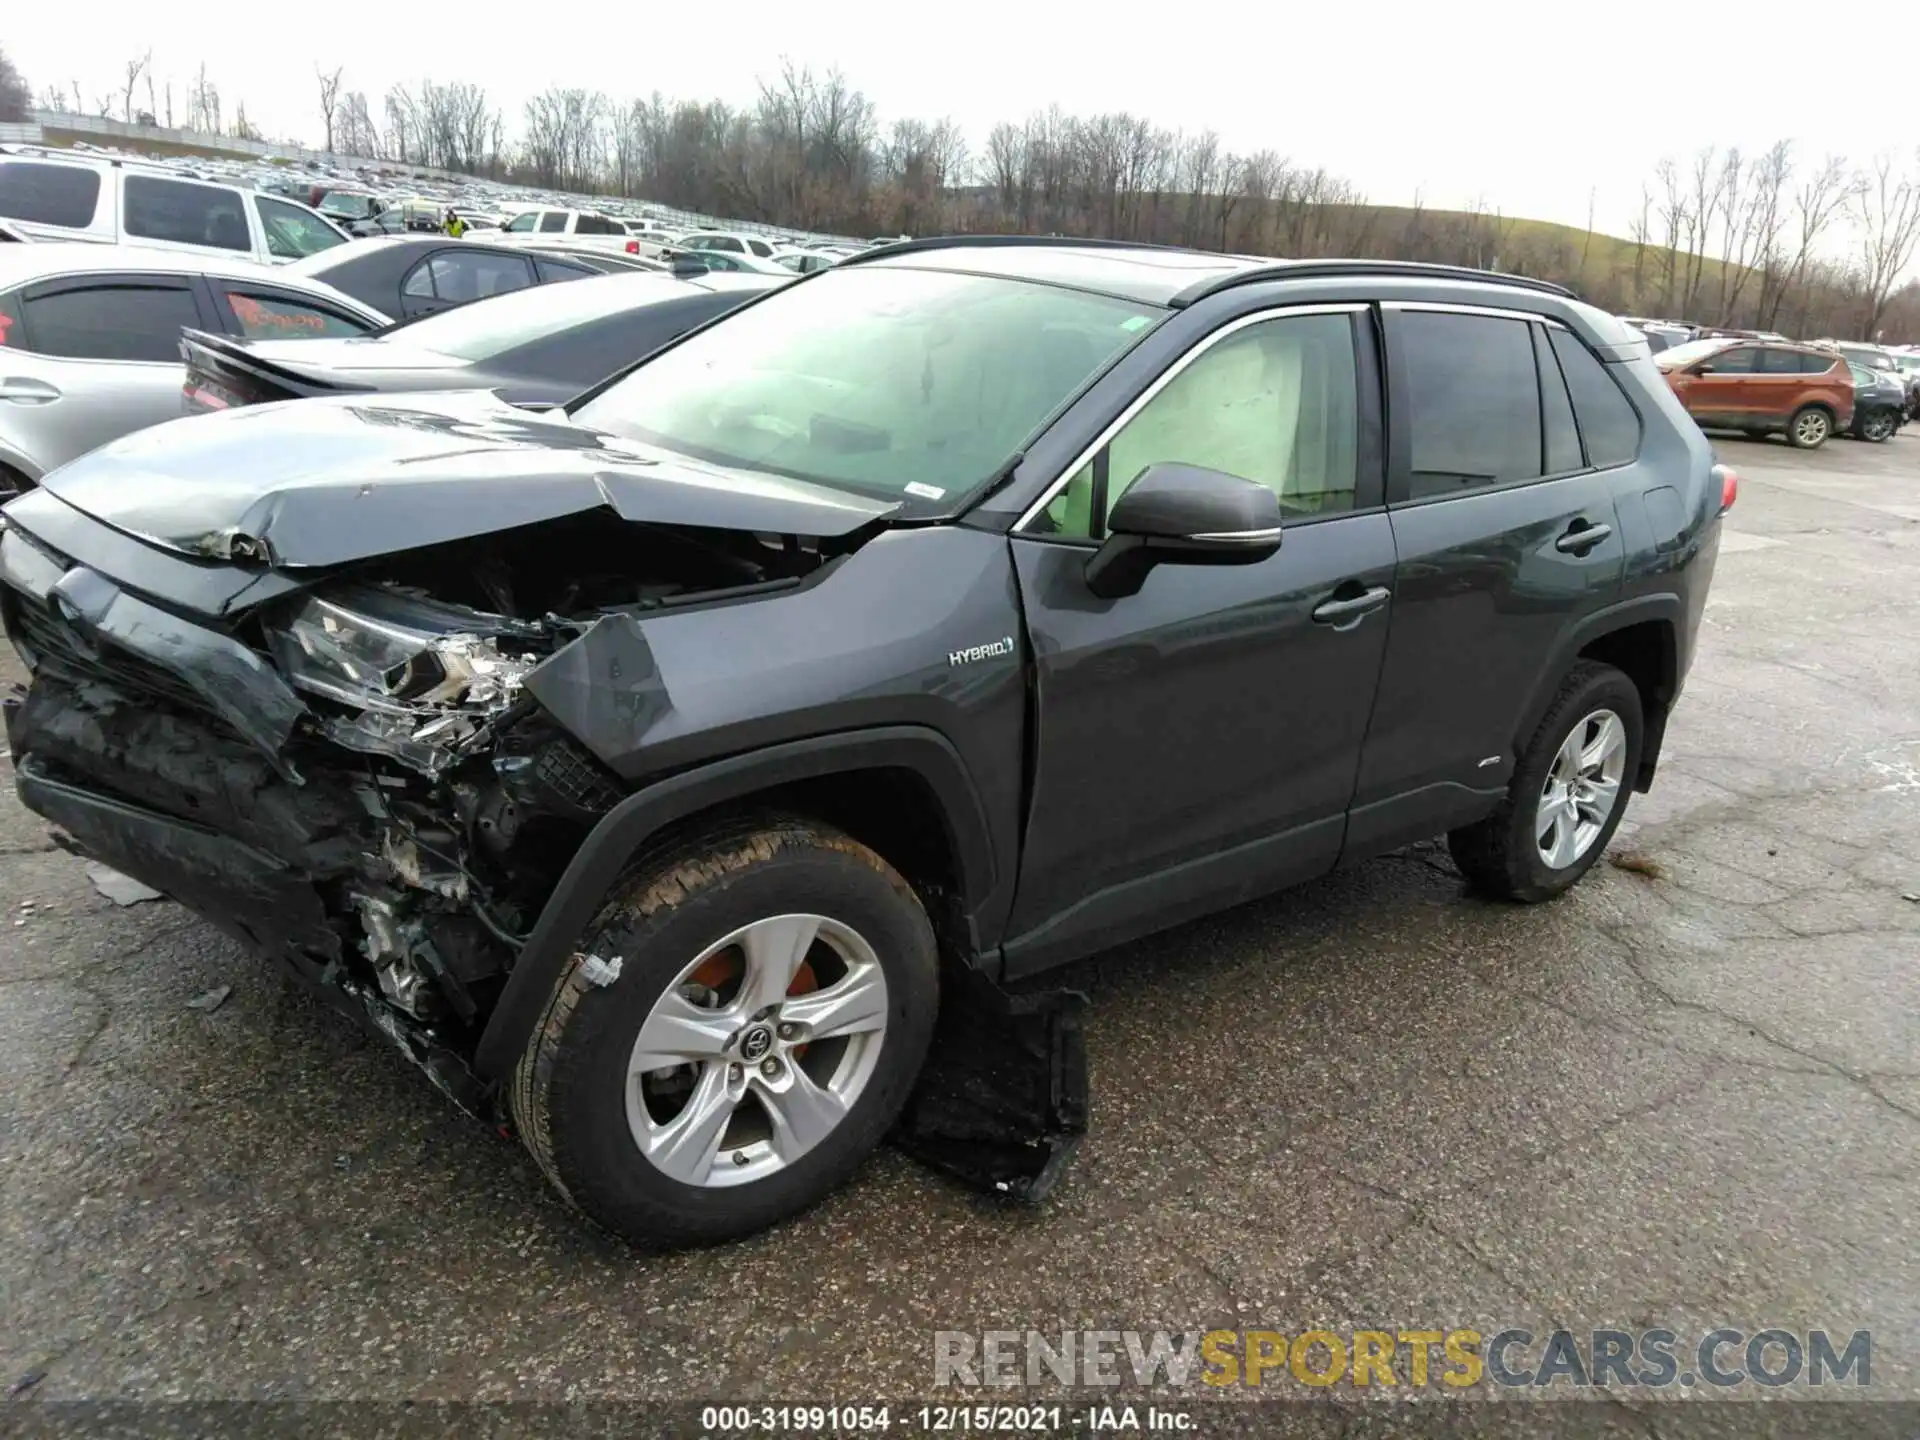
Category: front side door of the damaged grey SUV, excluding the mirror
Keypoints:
(1197, 744)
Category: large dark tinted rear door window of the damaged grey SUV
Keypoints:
(1474, 400)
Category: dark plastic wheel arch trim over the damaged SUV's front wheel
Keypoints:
(621, 832)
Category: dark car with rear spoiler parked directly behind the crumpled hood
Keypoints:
(533, 347)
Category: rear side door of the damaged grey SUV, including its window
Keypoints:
(1506, 537)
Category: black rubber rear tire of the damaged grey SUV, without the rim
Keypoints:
(1500, 855)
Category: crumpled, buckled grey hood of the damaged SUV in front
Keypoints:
(320, 483)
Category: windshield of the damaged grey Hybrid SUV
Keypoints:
(886, 381)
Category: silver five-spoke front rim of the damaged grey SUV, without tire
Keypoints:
(765, 1072)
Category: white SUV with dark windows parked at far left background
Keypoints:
(128, 203)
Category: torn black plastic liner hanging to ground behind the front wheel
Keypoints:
(1003, 1099)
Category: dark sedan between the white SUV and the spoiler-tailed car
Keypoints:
(425, 274)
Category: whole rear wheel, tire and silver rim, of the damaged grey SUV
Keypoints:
(1568, 794)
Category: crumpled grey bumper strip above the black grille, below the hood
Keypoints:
(231, 679)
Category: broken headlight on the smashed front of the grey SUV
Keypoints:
(400, 654)
